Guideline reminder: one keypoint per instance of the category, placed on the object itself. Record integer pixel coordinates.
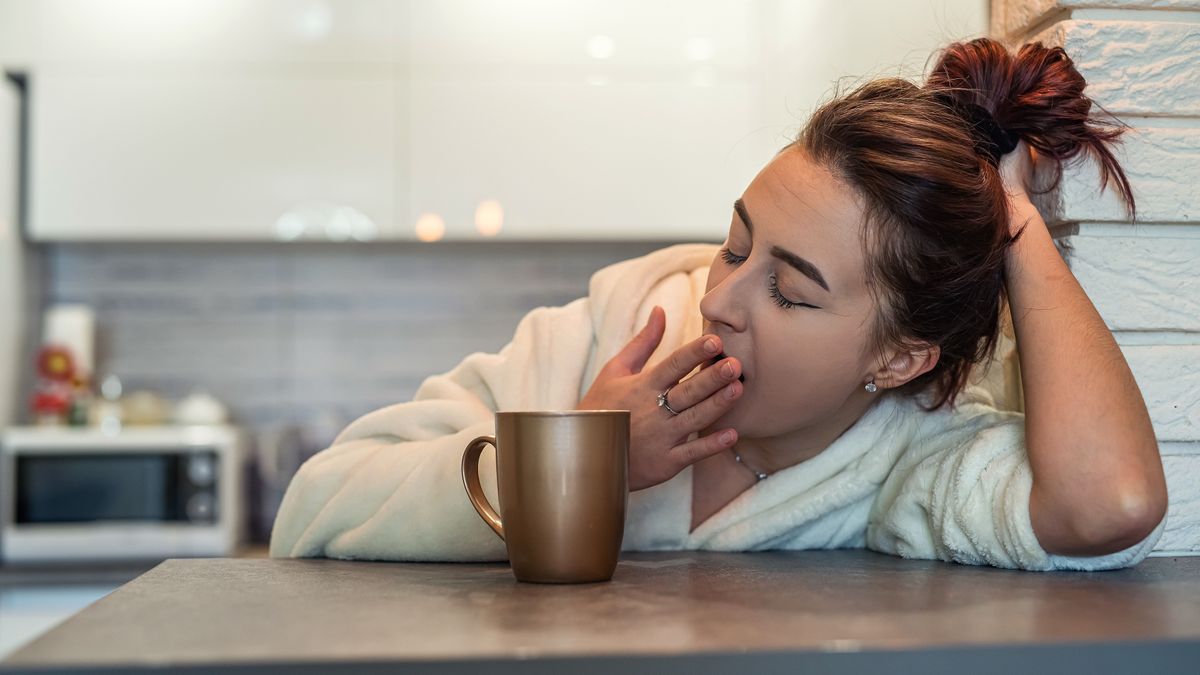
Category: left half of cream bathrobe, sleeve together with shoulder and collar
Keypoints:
(391, 485)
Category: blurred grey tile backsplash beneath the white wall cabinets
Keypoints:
(299, 341)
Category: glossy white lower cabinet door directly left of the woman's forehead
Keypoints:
(571, 162)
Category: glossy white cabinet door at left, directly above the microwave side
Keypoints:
(207, 157)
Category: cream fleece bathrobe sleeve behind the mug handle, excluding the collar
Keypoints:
(391, 487)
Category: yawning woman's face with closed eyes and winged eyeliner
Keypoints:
(789, 298)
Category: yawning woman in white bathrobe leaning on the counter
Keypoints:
(836, 331)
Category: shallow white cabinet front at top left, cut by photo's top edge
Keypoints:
(200, 33)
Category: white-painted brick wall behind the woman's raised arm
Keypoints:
(1142, 59)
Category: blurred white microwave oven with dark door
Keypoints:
(140, 493)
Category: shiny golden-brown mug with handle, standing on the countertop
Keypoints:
(563, 483)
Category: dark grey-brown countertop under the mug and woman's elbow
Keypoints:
(831, 612)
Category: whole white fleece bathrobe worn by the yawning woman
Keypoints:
(950, 485)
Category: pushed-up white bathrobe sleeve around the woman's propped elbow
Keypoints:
(961, 493)
